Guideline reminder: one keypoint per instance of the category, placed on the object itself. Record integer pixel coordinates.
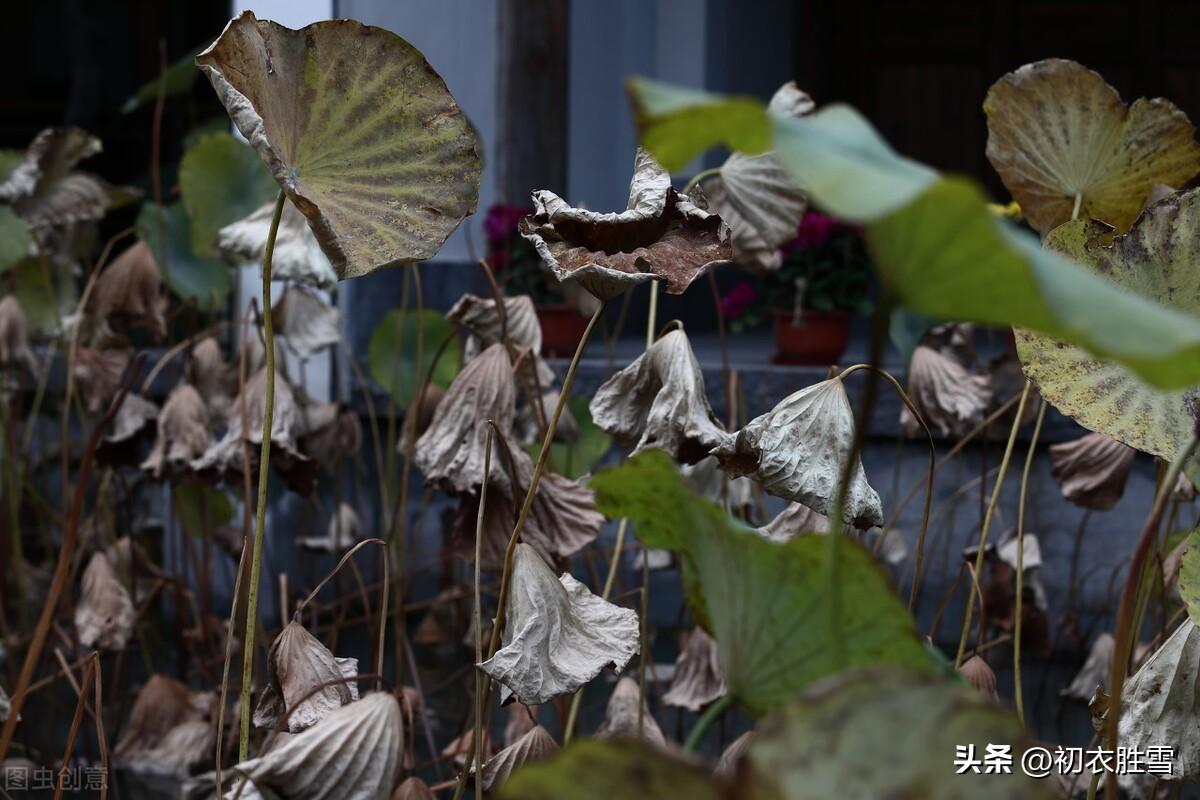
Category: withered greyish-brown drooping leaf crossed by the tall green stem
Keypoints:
(225, 459)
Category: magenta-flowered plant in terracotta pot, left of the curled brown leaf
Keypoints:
(519, 270)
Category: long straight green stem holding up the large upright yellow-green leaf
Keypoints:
(265, 464)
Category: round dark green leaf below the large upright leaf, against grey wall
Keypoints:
(393, 350)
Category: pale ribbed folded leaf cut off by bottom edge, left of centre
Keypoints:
(357, 748)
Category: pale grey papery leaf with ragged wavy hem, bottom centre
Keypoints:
(557, 636)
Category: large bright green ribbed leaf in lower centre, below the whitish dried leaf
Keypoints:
(765, 603)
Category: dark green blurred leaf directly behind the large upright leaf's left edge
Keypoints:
(223, 182)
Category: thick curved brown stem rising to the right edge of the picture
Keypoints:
(1126, 628)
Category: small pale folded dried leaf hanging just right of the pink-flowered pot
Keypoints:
(951, 400)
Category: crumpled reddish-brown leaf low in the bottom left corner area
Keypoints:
(170, 730)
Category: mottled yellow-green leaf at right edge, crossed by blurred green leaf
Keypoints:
(1157, 260)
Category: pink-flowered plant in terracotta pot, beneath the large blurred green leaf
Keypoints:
(824, 281)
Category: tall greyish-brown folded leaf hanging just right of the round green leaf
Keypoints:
(451, 453)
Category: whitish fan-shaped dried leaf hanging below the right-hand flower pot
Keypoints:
(797, 452)
